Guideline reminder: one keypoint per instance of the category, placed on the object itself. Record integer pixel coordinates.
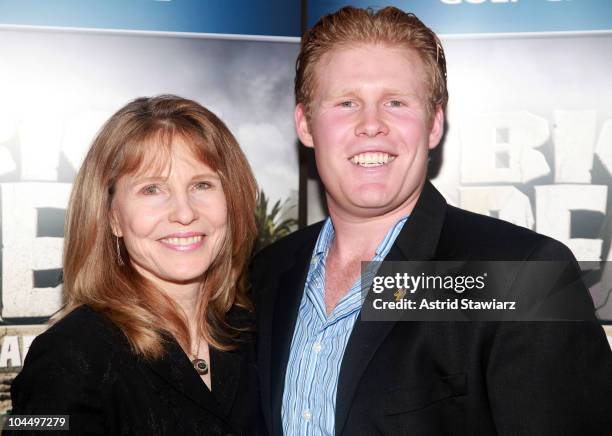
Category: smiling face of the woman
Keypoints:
(172, 223)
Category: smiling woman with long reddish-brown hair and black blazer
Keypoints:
(156, 339)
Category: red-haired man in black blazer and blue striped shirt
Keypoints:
(371, 93)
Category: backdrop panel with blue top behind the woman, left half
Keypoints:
(66, 66)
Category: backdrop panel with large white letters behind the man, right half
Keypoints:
(529, 120)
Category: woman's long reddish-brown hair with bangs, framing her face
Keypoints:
(140, 134)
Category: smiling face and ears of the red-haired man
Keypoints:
(370, 129)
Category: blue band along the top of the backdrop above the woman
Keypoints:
(247, 17)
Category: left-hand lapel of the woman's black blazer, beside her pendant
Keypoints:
(175, 369)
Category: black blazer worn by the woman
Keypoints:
(83, 367)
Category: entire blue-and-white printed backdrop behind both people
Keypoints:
(529, 135)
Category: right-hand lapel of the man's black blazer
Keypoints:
(418, 240)
